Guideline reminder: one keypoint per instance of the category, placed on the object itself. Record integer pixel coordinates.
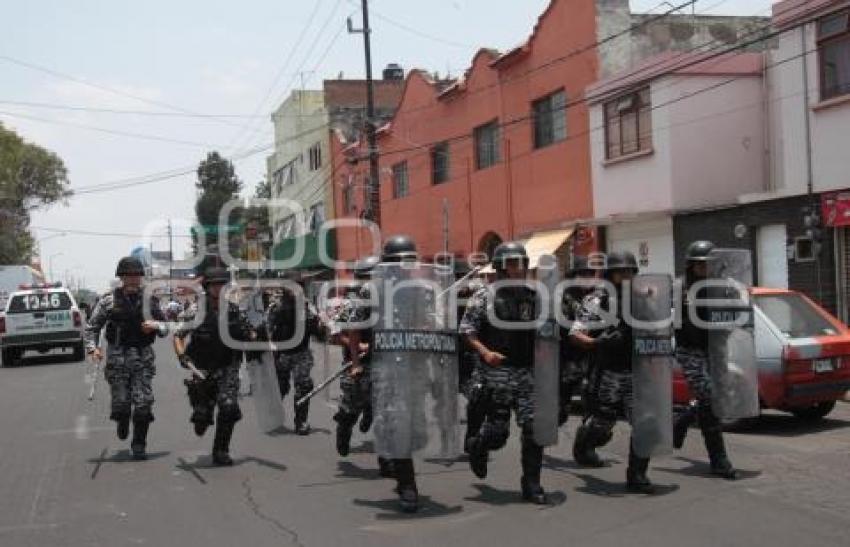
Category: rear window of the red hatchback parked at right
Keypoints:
(794, 316)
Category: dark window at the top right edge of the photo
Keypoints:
(834, 48)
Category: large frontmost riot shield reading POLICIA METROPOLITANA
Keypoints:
(414, 363)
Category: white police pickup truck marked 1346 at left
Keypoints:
(41, 318)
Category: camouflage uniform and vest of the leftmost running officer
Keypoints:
(130, 364)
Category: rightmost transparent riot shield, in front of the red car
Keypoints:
(731, 342)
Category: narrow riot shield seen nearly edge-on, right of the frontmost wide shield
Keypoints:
(546, 356)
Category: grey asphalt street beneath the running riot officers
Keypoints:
(67, 480)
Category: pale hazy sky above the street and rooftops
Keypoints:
(202, 75)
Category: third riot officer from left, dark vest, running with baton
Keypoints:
(297, 361)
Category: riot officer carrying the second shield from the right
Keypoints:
(612, 358)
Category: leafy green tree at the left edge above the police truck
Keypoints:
(31, 178)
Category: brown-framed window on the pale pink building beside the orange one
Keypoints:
(628, 124)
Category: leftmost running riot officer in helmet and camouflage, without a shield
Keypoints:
(129, 357)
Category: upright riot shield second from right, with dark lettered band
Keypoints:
(650, 315)
